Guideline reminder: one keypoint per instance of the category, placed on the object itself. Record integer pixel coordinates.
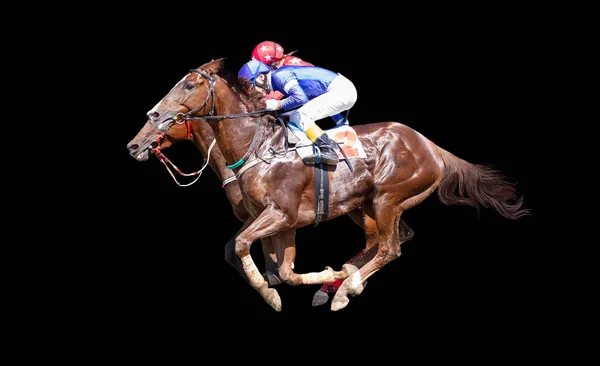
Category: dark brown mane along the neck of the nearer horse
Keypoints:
(252, 98)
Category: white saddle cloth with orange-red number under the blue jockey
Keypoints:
(343, 134)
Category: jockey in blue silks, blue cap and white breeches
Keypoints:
(318, 93)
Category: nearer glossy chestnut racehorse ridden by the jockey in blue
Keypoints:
(402, 168)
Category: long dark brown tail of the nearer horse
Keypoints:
(478, 186)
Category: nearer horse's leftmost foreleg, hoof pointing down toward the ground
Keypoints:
(269, 222)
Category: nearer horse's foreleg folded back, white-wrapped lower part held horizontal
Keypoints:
(285, 246)
